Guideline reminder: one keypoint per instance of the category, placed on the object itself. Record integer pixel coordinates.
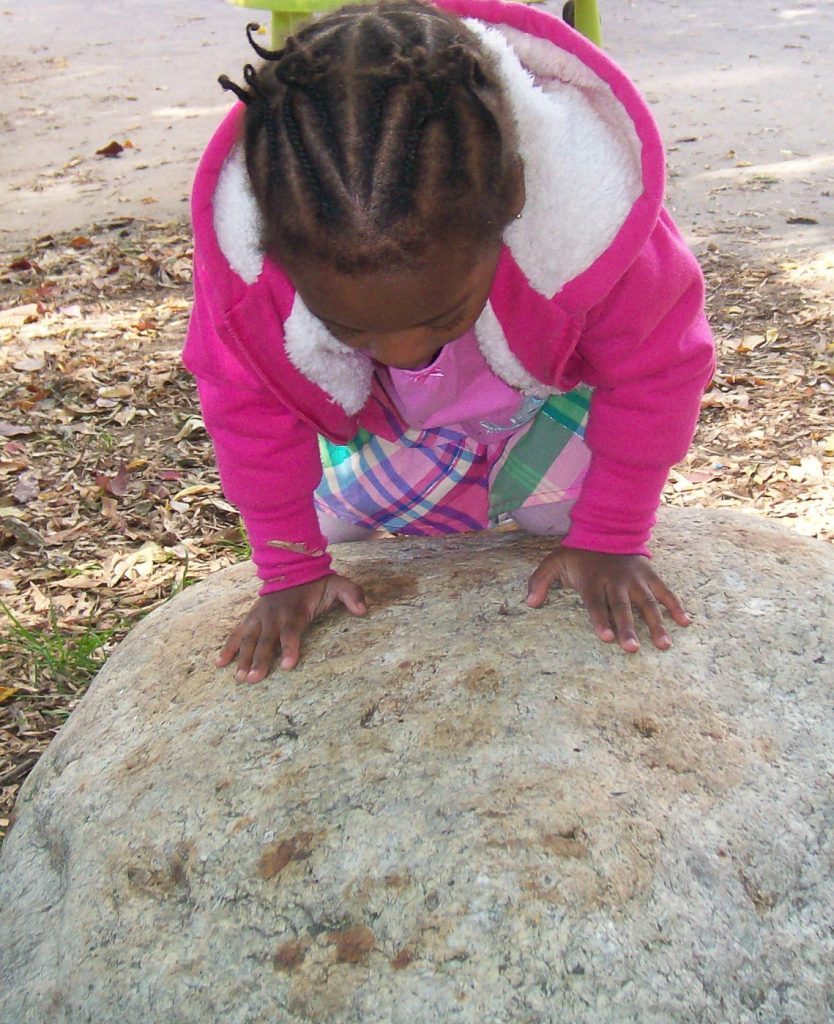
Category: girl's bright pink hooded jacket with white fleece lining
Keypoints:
(595, 285)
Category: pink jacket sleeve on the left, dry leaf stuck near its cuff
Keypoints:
(268, 457)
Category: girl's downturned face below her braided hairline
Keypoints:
(401, 319)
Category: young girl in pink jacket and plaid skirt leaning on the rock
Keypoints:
(436, 285)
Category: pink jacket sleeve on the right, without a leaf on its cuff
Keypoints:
(648, 351)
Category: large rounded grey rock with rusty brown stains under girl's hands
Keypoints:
(457, 810)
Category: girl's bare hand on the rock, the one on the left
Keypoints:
(278, 621)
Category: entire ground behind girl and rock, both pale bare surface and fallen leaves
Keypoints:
(109, 501)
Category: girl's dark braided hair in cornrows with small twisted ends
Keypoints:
(376, 132)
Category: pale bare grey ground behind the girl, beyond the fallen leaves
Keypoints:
(740, 93)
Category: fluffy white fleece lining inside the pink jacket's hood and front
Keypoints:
(582, 175)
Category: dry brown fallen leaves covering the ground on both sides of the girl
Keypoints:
(110, 502)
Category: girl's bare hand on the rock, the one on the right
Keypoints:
(611, 587)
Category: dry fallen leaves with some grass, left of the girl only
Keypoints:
(110, 502)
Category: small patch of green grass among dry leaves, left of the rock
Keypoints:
(67, 661)
